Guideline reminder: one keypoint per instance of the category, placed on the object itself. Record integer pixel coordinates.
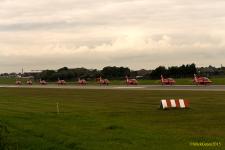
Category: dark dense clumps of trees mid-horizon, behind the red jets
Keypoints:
(117, 73)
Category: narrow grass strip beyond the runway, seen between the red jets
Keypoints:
(184, 81)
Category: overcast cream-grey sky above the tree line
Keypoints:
(48, 34)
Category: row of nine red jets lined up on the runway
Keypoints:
(198, 80)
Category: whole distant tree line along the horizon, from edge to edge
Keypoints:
(119, 73)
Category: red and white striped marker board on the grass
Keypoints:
(172, 103)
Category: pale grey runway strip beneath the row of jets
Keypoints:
(124, 87)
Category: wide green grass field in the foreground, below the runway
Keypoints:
(110, 119)
